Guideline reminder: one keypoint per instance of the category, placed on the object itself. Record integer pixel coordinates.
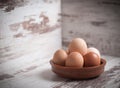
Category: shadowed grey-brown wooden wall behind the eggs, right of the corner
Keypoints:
(97, 21)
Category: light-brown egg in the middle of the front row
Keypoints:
(75, 59)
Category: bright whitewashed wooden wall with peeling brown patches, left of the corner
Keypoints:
(28, 26)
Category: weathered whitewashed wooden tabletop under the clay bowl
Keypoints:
(39, 75)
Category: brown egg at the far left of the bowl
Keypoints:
(59, 57)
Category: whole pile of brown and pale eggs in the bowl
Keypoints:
(77, 55)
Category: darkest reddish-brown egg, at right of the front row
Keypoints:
(91, 59)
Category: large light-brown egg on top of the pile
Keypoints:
(78, 45)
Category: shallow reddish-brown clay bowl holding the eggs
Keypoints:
(78, 73)
